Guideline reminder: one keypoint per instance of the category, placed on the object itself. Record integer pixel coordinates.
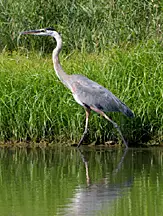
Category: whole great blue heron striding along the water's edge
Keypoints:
(86, 92)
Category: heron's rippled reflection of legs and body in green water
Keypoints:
(97, 196)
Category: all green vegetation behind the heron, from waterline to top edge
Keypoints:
(124, 39)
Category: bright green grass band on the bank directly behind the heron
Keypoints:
(35, 106)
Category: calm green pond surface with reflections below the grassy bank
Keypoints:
(92, 181)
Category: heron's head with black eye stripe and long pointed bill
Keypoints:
(43, 32)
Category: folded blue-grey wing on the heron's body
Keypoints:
(94, 95)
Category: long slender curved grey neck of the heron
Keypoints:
(57, 66)
